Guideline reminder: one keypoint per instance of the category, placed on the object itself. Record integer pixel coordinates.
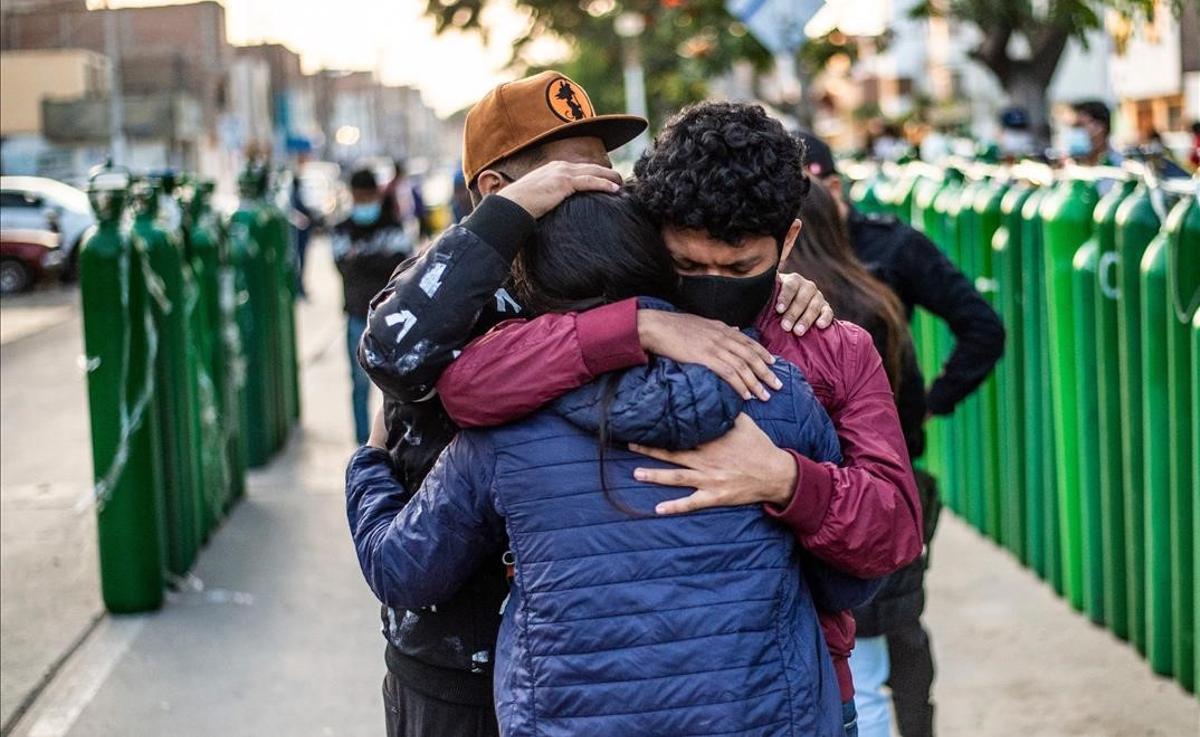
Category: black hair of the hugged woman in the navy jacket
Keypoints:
(595, 250)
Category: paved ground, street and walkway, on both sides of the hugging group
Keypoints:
(279, 636)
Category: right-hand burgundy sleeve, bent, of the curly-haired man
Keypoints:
(865, 517)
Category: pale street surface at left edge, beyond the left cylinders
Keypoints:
(47, 524)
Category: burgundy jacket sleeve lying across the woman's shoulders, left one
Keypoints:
(521, 365)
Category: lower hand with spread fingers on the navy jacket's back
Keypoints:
(741, 468)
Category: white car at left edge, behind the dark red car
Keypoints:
(34, 203)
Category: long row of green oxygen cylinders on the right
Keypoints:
(1082, 453)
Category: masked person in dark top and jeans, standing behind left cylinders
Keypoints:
(368, 248)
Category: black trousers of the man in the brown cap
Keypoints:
(411, 714)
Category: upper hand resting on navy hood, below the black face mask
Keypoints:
(728, 352)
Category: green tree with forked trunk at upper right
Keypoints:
(1045, 26)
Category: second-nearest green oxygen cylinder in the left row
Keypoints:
(176, 380)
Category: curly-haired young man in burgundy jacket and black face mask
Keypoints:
(724, 183)
